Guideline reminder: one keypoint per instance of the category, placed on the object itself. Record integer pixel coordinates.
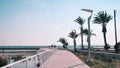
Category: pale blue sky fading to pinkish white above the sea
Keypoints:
(43, 22)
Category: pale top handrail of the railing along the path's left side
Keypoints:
(9, 65)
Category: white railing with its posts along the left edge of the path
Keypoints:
(35, 61)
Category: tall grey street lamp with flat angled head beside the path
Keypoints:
(89, 41)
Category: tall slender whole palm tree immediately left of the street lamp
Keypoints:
(81, 21)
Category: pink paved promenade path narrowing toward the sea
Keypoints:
(64, 59)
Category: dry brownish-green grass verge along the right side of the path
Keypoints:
(99, 61)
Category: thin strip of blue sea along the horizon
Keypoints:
(45, 46)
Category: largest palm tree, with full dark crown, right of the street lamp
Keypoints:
(103, 18)
